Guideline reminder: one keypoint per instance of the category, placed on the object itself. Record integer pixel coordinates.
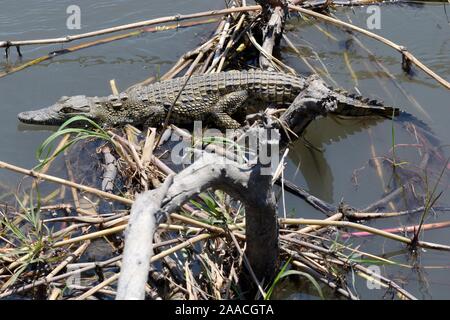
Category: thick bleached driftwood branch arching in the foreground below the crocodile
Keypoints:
(242, 182)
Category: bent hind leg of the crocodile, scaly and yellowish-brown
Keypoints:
(225, 107)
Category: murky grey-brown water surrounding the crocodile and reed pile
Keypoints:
(346, 145)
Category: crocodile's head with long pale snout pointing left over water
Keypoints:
(58, 113)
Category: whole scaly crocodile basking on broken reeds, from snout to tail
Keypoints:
(215, 98)
